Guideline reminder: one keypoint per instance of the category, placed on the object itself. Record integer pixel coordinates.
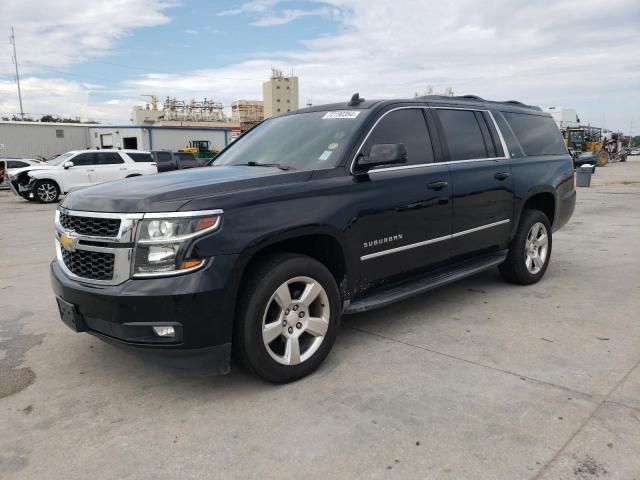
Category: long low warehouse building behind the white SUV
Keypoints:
(36, 139)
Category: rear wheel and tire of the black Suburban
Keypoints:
(530, 250)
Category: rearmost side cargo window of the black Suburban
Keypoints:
(538, 135)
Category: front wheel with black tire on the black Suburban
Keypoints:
(289, 310)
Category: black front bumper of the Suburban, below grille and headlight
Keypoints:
(198, 305)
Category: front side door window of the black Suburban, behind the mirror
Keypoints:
(404, 126)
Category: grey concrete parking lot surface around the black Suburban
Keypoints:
(479, 379)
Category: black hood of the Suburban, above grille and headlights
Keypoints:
(167, 192)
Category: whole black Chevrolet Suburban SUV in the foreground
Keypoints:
(310, 215)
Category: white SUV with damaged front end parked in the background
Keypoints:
(45, 182)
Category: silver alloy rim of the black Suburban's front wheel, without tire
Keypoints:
(296, 320)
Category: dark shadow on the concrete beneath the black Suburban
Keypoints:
(132, 371)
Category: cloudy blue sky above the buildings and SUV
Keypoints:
(95, 59)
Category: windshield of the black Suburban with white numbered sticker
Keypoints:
(304, 141)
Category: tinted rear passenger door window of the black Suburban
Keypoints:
(463, 135)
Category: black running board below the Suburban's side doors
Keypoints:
(423, 283)
